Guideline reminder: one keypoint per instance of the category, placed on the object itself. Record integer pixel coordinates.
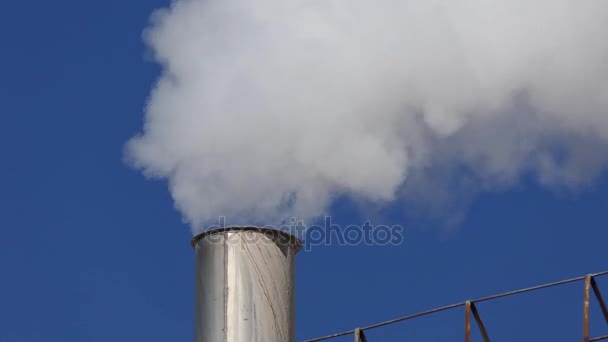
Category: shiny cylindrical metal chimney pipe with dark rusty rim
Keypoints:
(245, 285)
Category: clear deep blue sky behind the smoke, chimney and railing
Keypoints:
(91, 251)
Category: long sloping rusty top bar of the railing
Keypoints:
(452, 306)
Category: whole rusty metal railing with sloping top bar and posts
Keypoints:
(470, 308)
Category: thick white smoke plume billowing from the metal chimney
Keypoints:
(268, 109)
